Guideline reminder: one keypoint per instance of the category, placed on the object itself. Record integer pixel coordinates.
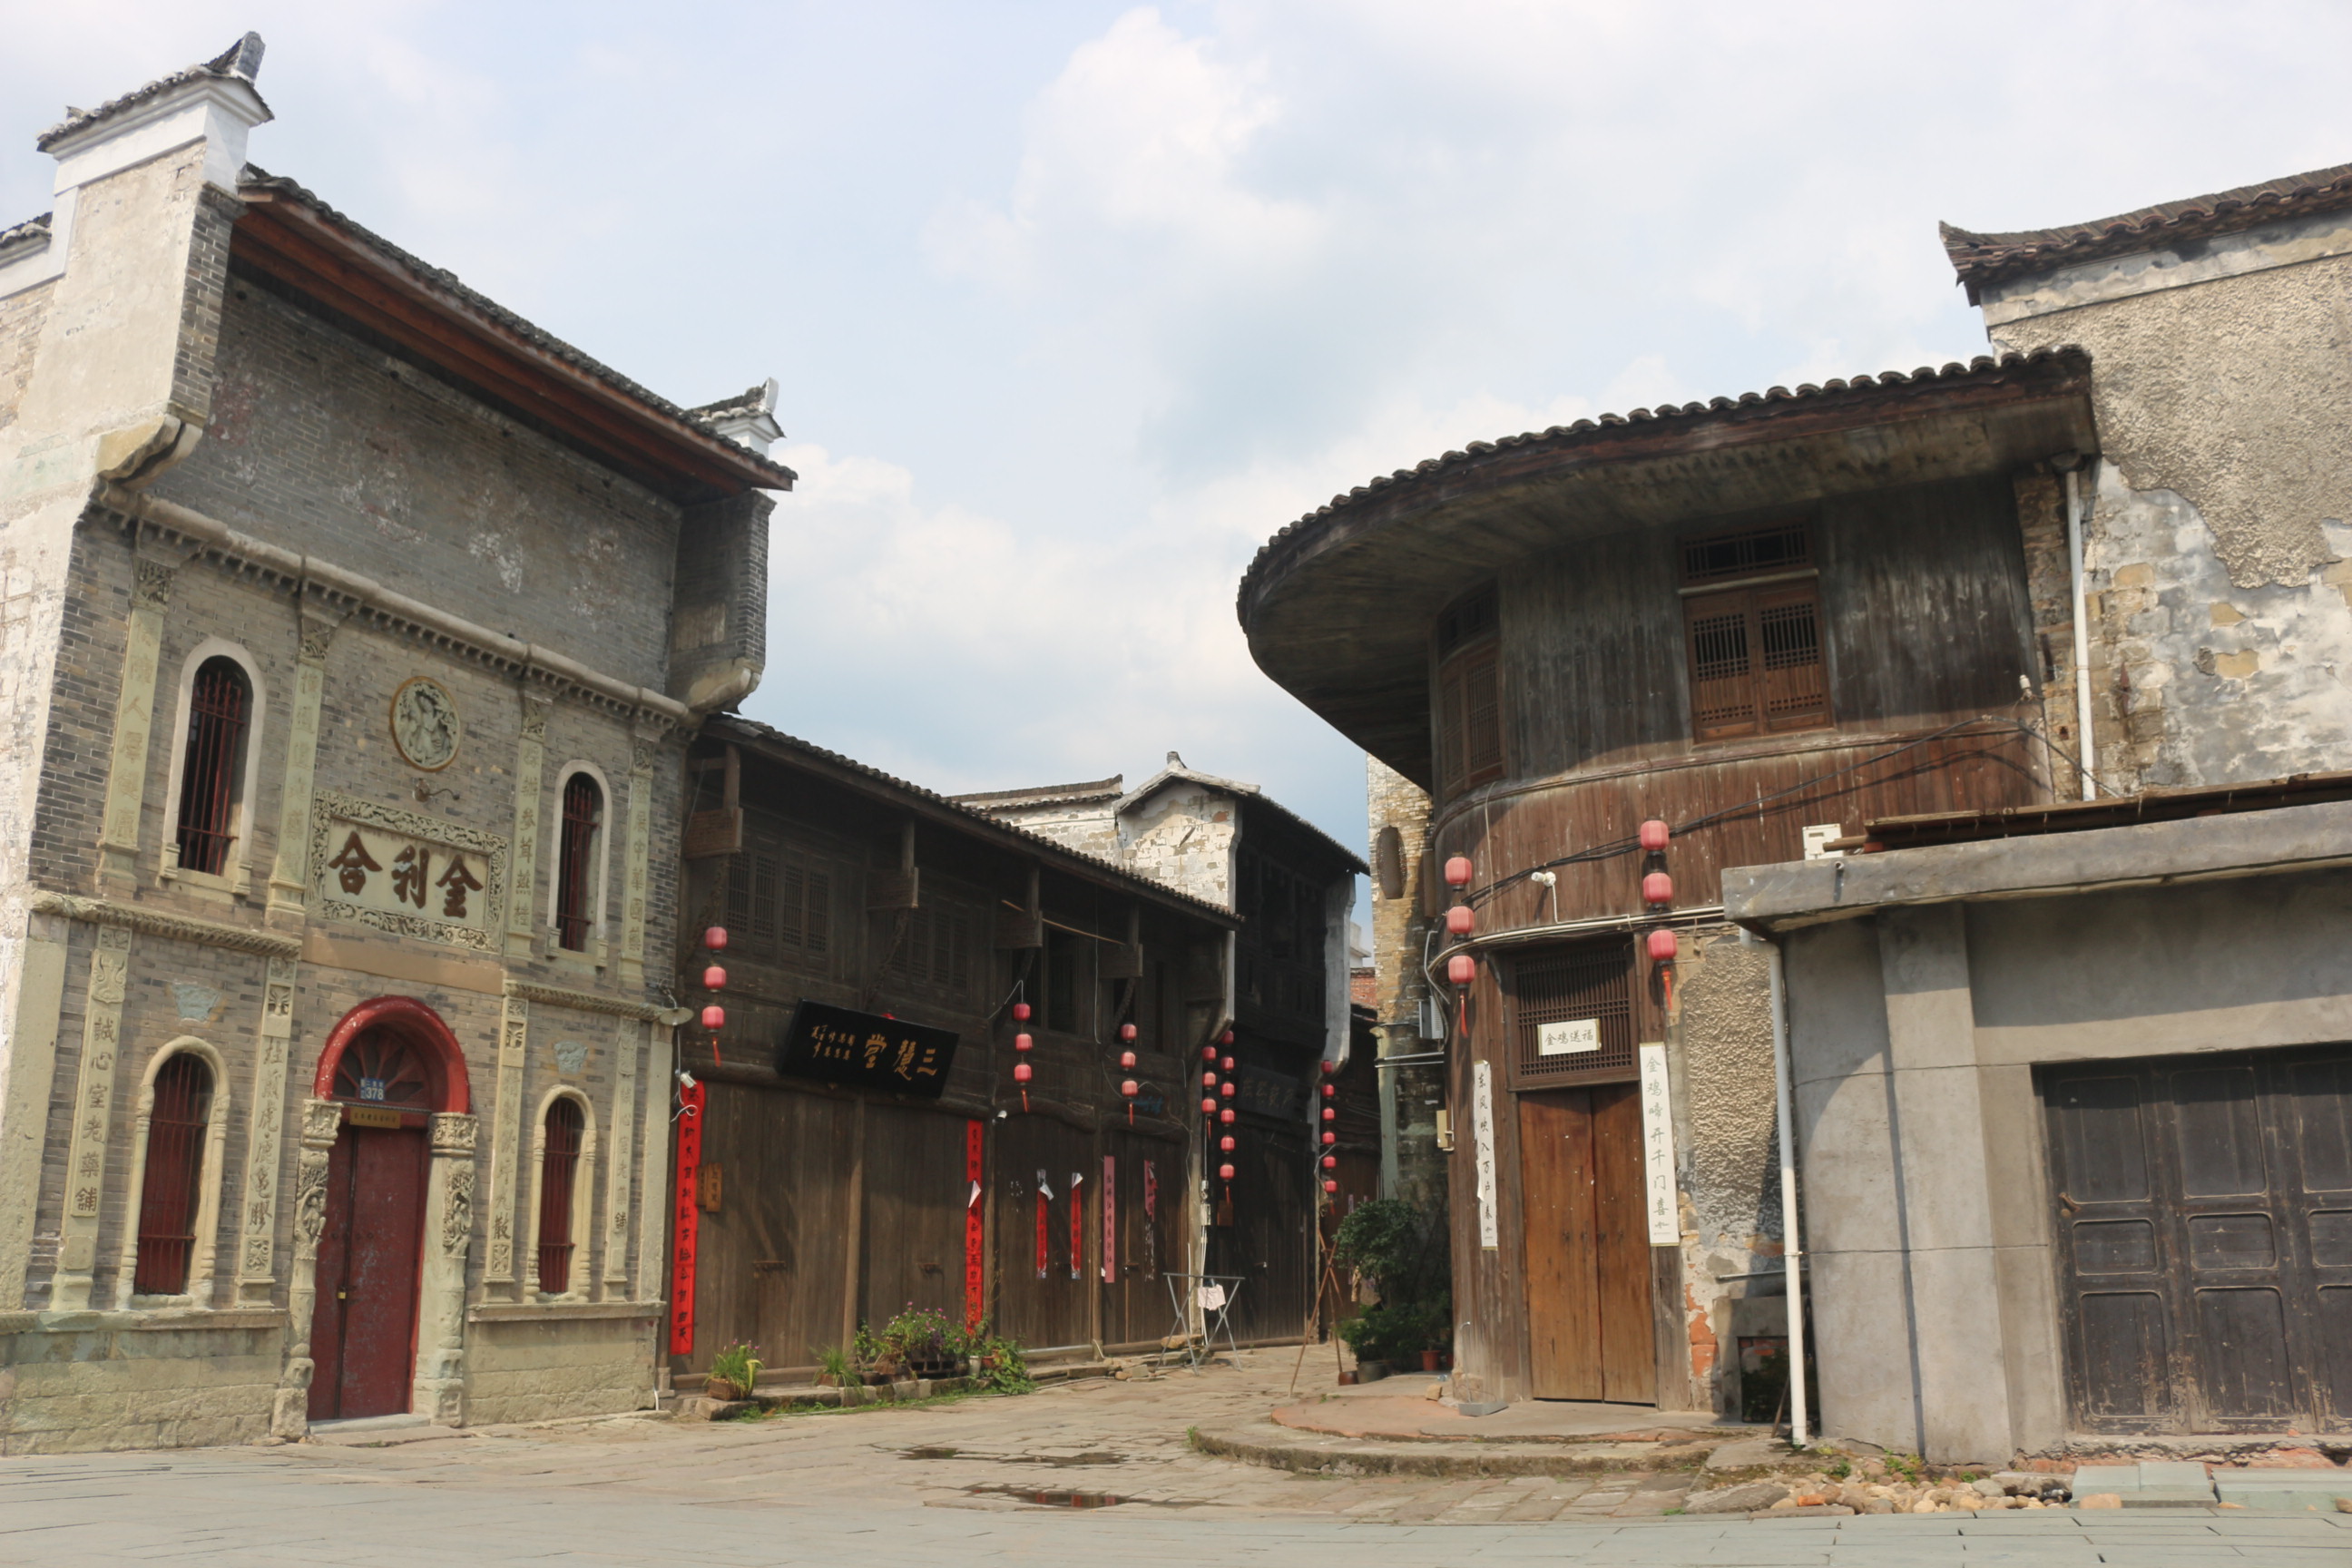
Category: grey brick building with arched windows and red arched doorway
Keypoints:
(352, 634)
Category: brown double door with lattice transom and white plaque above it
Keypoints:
(1575, 1024)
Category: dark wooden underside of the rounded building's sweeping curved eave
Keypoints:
(1337, 608)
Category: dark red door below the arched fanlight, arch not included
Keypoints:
(363, 1329)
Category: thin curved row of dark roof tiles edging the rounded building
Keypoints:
(1431, 474)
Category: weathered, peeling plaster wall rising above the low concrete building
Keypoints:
(2221, 589)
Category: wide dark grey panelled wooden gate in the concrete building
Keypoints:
(2205, 1240)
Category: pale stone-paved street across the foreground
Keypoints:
(987, 1480)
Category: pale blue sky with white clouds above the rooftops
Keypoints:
(1076, 304)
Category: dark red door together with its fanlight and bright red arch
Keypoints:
(392, 1064)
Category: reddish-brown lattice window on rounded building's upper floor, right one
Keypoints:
(1756, 652)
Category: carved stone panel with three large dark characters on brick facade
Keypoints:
(406, 873)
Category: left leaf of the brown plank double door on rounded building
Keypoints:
(1563, 1254)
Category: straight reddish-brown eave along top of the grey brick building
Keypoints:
(345, 272)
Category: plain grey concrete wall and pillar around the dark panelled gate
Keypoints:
(1927, 1212)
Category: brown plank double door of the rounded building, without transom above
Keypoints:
(1589, 1268)
